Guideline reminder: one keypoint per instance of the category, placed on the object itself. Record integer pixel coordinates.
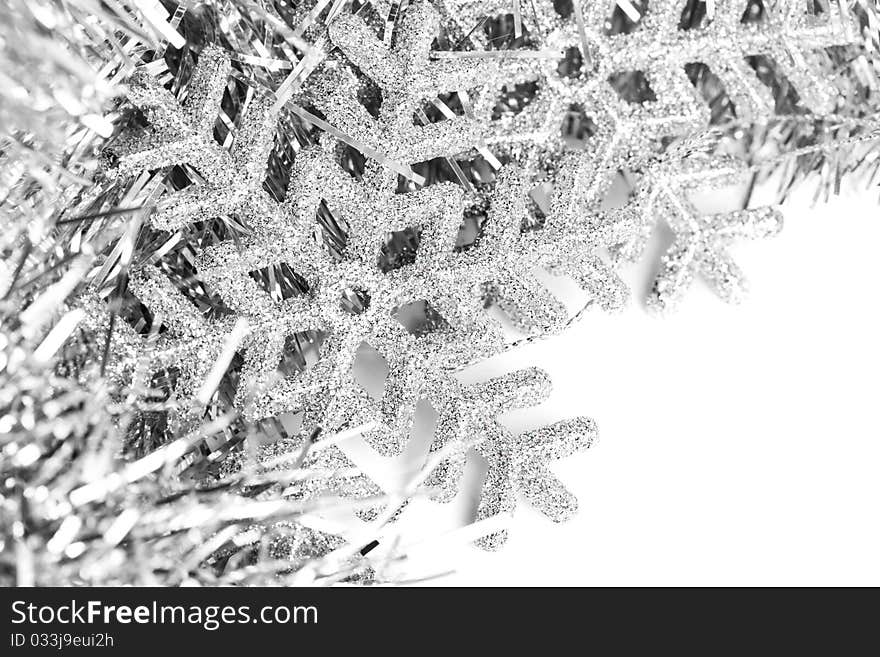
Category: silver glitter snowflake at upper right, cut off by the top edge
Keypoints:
(652, 57)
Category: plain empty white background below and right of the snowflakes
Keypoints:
(739, 444)
